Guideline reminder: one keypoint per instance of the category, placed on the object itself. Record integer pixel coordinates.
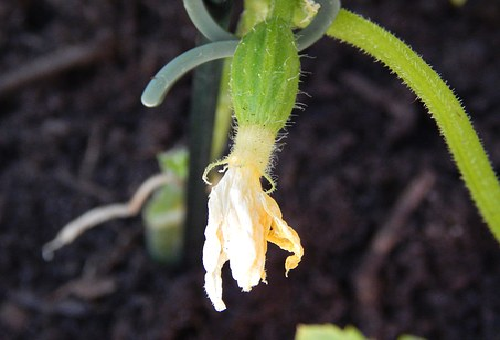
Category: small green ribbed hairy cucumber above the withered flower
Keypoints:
(265, 75)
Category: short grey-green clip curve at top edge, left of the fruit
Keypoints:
(204, 22)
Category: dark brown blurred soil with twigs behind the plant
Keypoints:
(393, 243)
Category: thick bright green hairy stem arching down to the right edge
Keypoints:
(443, 105)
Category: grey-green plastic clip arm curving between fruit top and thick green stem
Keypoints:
(328, 12)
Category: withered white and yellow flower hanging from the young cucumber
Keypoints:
(242, 219)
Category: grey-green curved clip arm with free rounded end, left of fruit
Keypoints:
(160, 84)
